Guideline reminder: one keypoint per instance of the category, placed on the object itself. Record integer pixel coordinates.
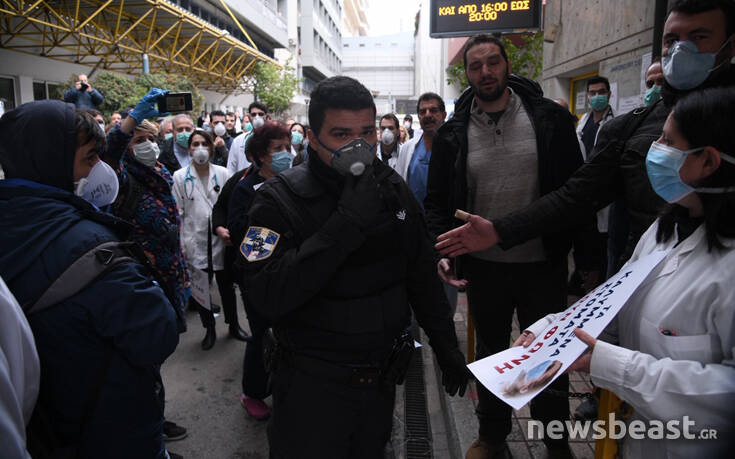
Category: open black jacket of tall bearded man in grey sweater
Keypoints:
(558, 157)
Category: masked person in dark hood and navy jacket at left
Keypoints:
(101, 342)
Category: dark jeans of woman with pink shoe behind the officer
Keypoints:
(254, 377)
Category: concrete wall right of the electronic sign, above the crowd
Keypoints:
(598, 36)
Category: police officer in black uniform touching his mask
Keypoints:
(337, 249)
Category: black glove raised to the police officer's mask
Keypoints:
(361, 200)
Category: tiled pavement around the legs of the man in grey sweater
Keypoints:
(518, 440)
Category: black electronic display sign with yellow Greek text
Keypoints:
(462, 18)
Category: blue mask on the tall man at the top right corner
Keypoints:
(685, 67)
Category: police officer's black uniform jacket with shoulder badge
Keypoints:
(337, 292)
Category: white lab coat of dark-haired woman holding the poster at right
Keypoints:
(691, 294)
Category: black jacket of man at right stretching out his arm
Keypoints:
(610, 174)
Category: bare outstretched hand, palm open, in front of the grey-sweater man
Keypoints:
(475, 235)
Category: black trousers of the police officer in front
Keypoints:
(316, 418)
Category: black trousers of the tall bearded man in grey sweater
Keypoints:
(494, 291)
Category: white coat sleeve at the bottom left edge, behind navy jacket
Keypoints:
(20, 375)
